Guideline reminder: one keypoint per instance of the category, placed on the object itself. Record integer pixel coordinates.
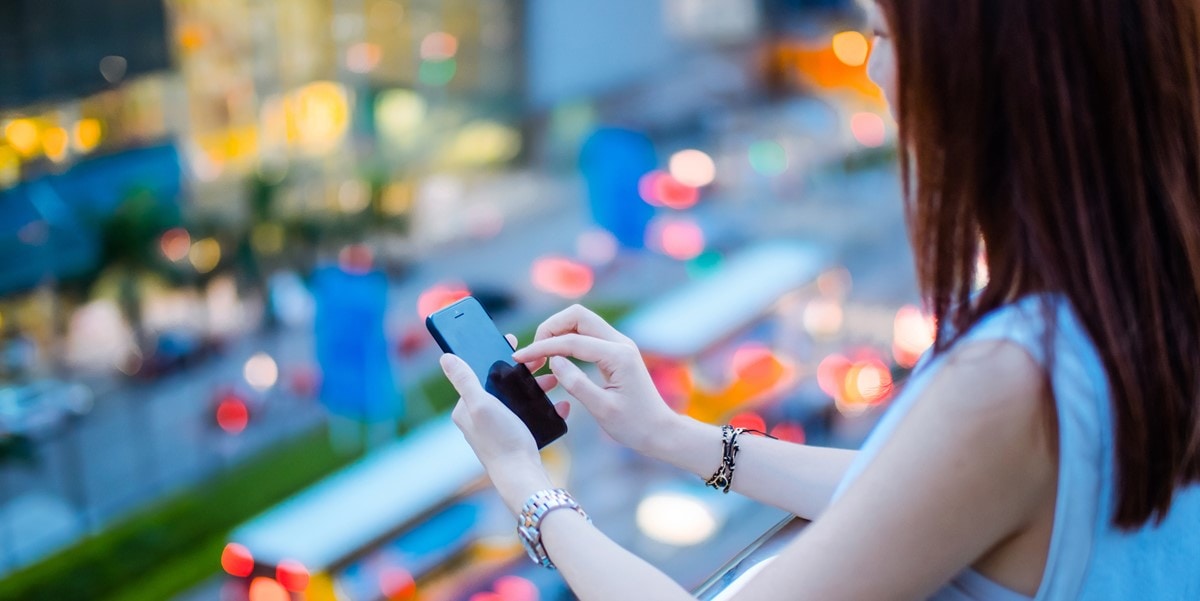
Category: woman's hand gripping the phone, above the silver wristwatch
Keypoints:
(500, 438)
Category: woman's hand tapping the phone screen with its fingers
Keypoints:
(626, 404)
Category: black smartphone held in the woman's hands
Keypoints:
(466, 330)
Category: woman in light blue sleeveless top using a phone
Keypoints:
(1049, 444)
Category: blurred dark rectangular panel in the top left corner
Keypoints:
(70, 49)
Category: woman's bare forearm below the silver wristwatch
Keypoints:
(597, 568)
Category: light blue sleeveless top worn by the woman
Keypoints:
(1090, 560)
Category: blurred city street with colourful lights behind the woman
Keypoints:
(213, 227)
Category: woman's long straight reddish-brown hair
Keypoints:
(1066, 137)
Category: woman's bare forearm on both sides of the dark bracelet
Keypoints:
(800, 479)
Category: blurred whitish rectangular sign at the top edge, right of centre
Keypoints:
(713, 21)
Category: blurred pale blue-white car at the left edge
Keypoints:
(38, 407)
